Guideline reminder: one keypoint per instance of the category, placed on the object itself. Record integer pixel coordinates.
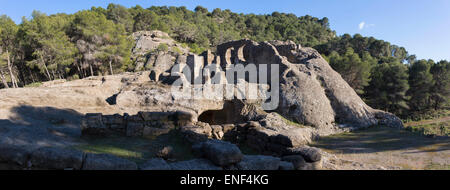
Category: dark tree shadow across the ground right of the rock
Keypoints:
(381, 139)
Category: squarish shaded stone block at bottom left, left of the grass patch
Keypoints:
(57, 158)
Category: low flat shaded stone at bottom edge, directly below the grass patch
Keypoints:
(107, 162)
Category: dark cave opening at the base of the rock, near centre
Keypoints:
(230, 114)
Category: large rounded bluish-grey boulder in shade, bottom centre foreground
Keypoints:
(221, 153)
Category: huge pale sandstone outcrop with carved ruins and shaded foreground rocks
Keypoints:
(314, 101)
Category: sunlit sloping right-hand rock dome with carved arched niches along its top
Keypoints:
(311, 92)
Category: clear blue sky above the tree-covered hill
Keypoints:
(422, 27)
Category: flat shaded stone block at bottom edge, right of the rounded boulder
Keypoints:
(259, 163)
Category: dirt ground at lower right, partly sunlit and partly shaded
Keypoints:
(386, 148)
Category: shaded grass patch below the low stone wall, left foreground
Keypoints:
(137, 149)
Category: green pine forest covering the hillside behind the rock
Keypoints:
(97, 42)
